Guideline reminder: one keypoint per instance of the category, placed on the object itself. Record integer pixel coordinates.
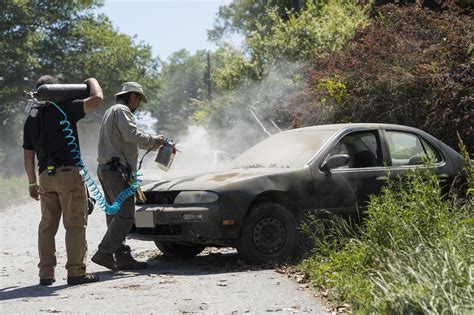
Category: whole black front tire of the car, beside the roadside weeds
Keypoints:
(269, 233)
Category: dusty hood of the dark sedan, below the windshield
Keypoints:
(212, 180)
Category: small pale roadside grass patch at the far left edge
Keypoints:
(15, 190)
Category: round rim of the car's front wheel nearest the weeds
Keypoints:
(269, 235)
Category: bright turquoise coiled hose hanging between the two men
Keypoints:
(94, 190)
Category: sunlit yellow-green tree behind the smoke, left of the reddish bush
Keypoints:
(268, 74)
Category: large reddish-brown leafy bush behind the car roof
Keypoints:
(408, 66)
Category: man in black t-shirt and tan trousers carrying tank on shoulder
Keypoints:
(61, 189)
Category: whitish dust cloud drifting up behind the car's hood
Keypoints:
(253, 112)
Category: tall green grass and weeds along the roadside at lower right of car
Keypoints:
(413, 254)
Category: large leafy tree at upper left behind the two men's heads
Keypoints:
(64, 38)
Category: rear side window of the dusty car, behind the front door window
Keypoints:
(410, 149)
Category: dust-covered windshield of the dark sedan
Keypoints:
(287, 149)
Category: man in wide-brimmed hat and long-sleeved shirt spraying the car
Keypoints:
(119, 141)
